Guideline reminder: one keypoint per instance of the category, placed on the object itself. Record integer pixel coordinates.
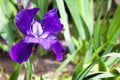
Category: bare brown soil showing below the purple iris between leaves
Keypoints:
(45, 65)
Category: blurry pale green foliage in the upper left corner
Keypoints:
(7, 12)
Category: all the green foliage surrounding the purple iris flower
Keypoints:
(93, 43)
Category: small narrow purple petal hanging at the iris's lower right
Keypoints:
(59, 50)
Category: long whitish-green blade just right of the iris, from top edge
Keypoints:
(64, 19)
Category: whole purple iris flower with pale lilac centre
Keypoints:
(43, 33)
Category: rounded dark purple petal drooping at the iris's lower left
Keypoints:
(21, 51)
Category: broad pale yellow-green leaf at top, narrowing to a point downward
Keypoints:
(86, 11)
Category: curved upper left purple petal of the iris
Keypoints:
(24, 19)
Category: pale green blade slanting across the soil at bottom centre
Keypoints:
(60, 68)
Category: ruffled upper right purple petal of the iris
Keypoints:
(51, 22)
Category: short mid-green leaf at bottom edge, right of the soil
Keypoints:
(78, 69)
